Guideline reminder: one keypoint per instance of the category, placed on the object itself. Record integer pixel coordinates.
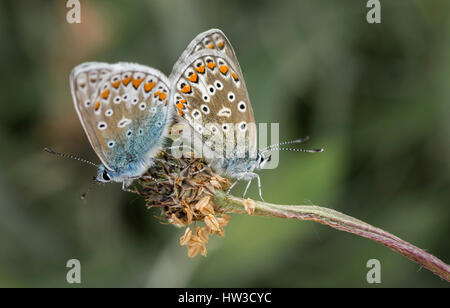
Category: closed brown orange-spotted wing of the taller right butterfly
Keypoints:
(210, 95)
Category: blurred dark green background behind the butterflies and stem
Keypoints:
(377, 97)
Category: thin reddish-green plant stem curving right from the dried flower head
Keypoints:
(338, 221)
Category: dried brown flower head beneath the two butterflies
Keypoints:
(184, 190)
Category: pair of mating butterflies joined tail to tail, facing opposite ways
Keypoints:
(126, 110)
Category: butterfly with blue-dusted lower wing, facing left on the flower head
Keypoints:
(124, 110)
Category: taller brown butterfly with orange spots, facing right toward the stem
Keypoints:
(213, 106)
